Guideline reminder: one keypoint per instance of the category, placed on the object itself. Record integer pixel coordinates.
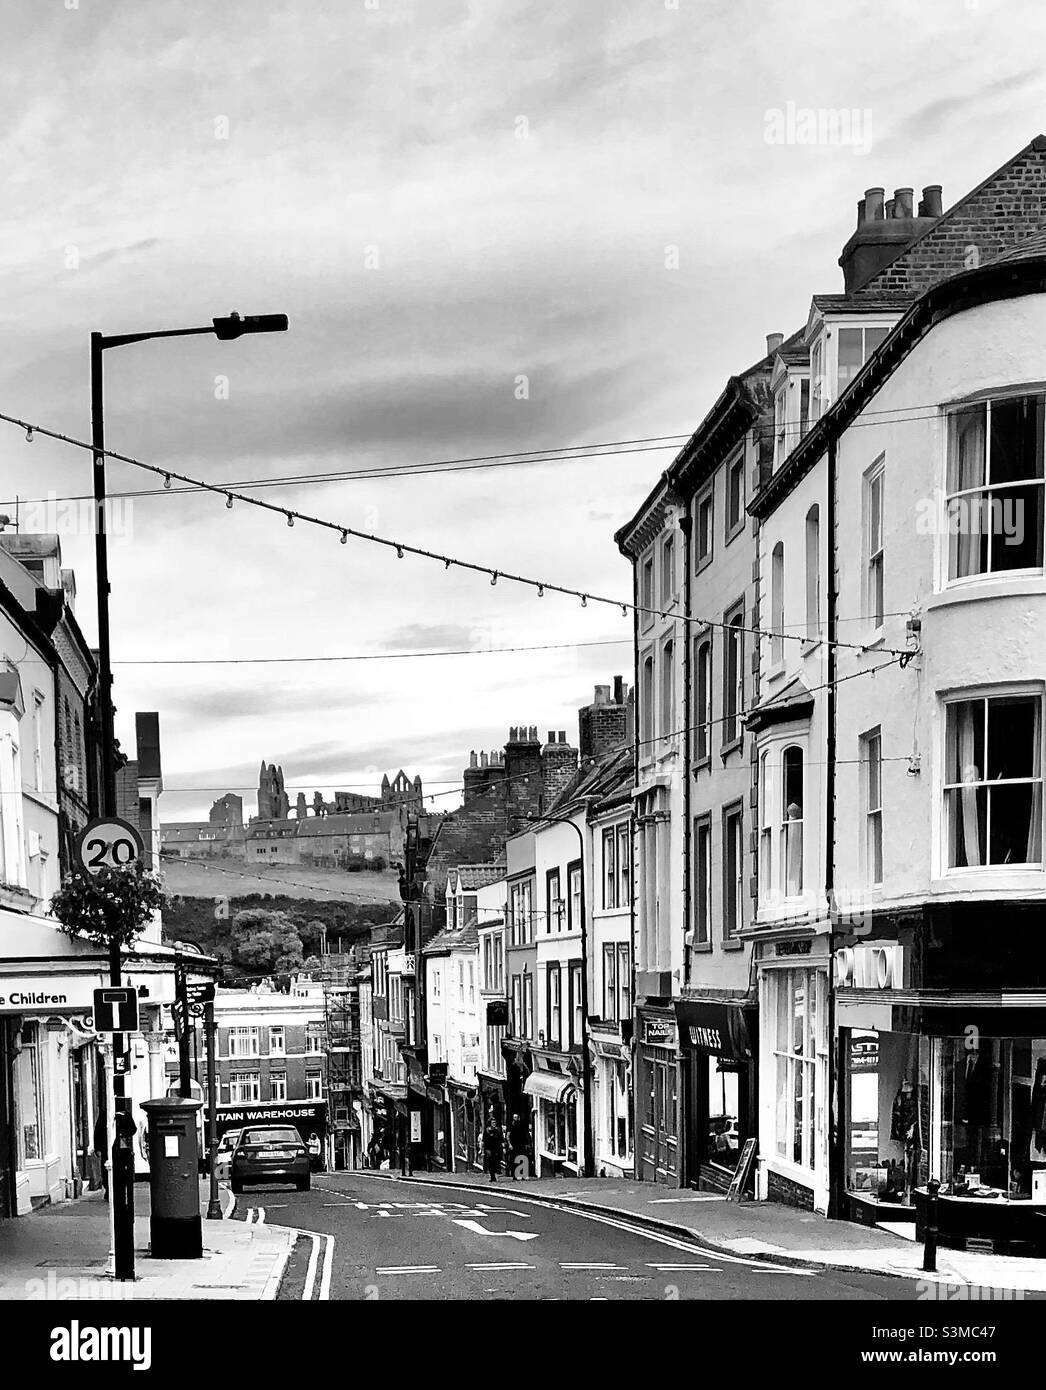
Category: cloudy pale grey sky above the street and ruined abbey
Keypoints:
(444, 197)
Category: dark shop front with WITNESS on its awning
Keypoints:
(717, 1040)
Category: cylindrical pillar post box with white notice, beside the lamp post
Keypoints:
(174, 1181)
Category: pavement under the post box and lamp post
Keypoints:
(62, 1252)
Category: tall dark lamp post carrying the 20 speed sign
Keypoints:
(123, 1178)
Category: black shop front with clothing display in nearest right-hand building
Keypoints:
(943, 1084)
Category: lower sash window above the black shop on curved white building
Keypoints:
(994, 780)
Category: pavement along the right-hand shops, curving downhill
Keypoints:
(772, 1231)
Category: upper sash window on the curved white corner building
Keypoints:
(995, 487)
